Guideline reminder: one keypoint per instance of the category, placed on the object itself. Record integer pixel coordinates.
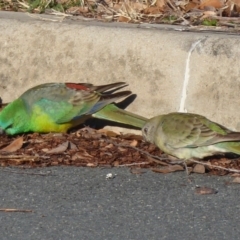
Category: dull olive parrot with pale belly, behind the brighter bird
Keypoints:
(188, 136)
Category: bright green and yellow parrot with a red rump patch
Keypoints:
(57, 107)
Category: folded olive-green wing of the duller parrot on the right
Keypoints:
(192, 130)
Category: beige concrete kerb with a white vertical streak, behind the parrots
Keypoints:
(168, 70)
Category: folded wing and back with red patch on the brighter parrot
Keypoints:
(64, 102)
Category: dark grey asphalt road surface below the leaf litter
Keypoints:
(80, 203)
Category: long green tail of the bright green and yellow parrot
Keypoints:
(115, 114)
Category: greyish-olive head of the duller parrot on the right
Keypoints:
(149, 130)
